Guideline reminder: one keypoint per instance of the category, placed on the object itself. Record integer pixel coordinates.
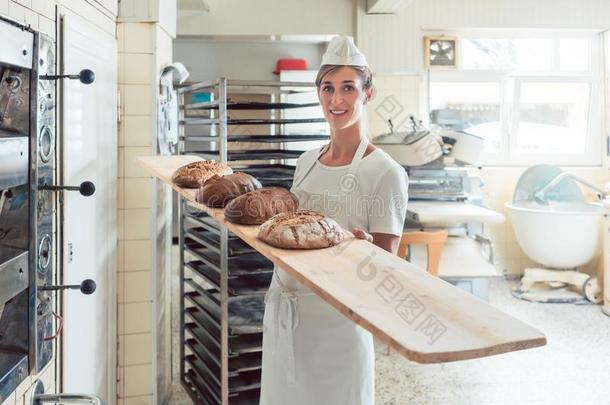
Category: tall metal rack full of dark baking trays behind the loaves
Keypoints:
(223, 280)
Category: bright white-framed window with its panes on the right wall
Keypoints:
(533, 97)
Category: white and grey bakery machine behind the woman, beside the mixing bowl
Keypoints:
(445, 194)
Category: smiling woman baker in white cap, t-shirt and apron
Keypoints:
(312, 354)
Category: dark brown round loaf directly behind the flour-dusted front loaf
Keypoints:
(257, 206)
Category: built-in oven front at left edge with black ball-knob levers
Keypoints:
(28, 200)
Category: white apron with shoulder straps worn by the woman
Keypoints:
(312, 354)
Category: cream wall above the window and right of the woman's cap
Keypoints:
(393, 44)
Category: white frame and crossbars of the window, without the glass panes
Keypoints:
(510, 82)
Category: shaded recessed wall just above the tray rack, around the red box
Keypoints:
(207, 59)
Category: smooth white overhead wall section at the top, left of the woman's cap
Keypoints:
(268, 17)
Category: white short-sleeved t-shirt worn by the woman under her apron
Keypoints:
(377, 202)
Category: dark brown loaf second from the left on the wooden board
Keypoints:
(219, 190)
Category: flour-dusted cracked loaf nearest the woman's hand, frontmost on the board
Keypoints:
(302, 229)
